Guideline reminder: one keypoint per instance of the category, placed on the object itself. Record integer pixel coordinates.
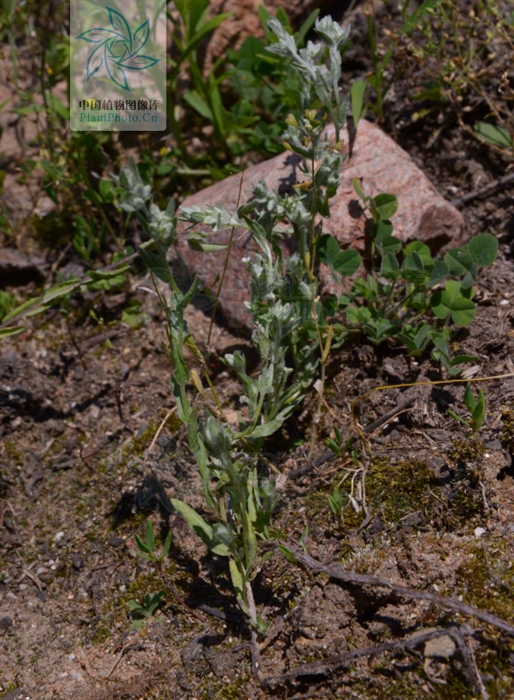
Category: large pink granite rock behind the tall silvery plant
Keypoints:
(382, 167)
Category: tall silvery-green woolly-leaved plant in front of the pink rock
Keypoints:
(286, 310)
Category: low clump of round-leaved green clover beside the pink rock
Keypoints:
(401, 300)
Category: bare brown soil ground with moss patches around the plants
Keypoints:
(79, 410)
